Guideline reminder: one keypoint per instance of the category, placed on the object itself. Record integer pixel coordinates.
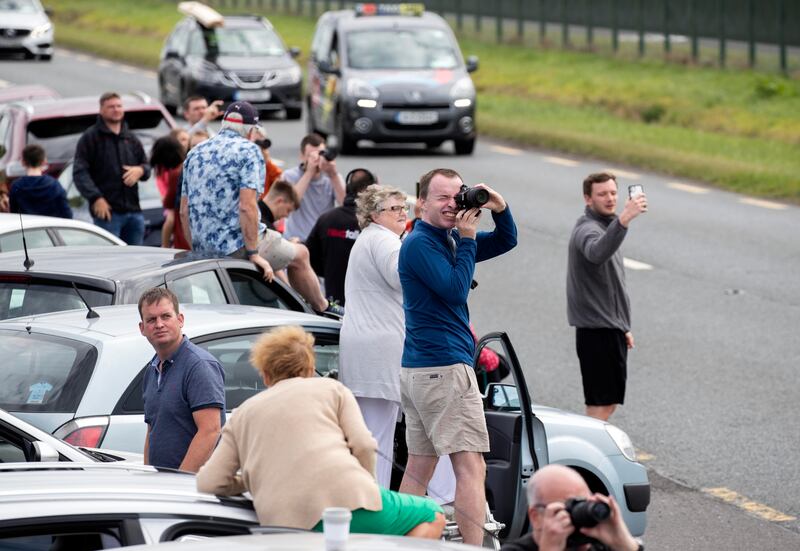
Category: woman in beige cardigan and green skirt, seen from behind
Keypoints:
(302, 446)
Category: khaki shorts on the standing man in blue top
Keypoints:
(444, 410)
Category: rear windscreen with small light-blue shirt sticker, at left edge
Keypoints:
(43, 373)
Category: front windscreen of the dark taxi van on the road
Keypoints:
(392, 48)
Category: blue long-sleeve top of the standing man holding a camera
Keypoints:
(436, 286)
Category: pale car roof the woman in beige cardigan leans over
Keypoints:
(114, 487)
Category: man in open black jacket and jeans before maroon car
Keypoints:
(109, 163)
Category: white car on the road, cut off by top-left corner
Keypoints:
(25, 29)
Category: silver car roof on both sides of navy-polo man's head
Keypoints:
(122, 320)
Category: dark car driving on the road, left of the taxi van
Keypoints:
(243, 60)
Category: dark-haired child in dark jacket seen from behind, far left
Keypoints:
(38, 193)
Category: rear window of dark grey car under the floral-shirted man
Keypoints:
(24, 296)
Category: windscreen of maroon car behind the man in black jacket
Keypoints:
(59, 135)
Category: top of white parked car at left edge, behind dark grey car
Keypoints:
(49, 231)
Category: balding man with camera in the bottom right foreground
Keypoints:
(564, 514)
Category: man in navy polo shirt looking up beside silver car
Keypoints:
(183, 389)
